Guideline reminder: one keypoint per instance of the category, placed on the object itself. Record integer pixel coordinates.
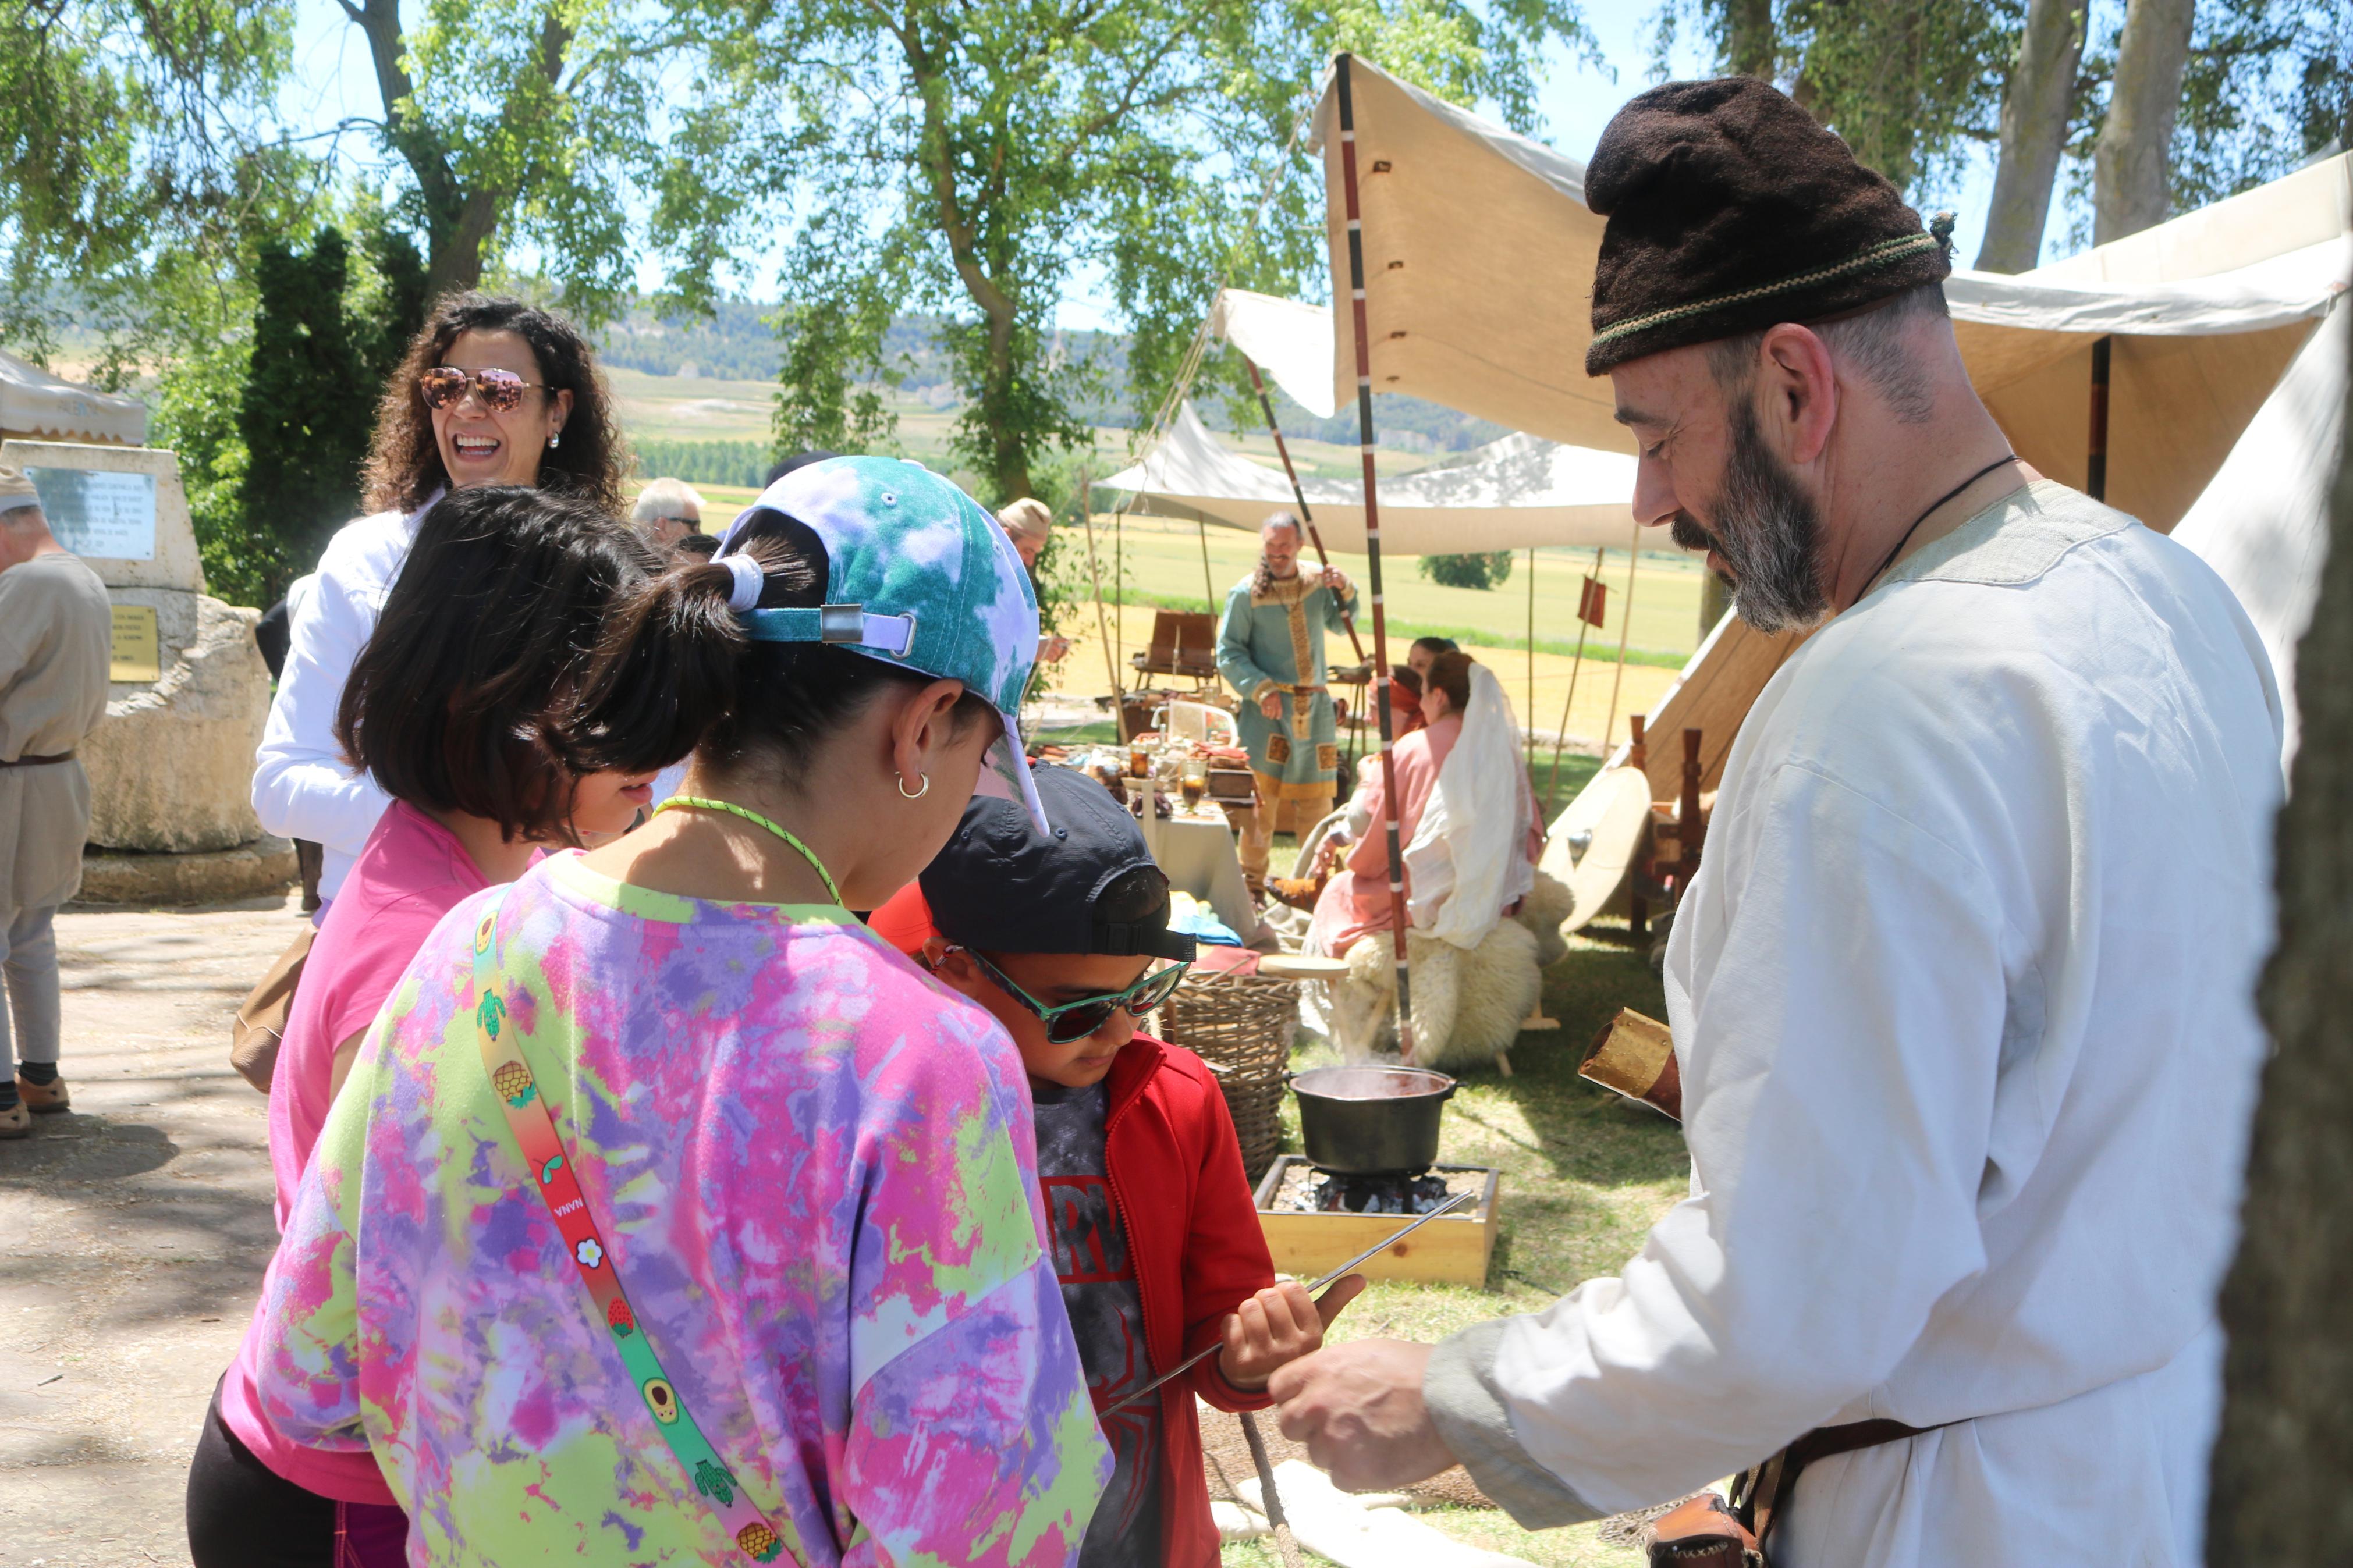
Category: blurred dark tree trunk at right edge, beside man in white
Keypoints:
(2286, 1440)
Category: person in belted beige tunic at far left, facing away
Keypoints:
(55, 634)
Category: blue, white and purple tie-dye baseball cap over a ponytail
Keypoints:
(919, 577)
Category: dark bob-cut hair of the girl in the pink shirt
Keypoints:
(488, 631)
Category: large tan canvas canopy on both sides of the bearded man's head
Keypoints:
(1479, 286)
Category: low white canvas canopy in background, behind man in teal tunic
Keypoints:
(1512, 495)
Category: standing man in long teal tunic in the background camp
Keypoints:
(1269, 648)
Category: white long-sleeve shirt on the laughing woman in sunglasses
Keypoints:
(302, 786)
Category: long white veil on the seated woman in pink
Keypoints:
(1469, 852)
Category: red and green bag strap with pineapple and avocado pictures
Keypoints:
(545, 1153)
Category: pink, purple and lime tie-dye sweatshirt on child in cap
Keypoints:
(818, 1181)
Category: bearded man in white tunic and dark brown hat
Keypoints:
(1964, 989)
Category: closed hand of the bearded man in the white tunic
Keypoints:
(1359, 1409)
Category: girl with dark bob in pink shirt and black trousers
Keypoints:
(486, 629)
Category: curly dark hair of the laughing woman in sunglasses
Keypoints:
(406, 464)
